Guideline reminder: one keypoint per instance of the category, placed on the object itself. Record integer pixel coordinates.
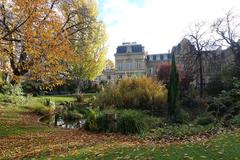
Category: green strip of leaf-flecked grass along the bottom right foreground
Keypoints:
(224, 147)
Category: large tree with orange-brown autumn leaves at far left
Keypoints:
(34, 41)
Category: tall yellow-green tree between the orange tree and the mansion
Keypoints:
(89, 44)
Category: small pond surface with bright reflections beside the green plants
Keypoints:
(60, 122)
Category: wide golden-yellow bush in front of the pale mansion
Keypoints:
(134, 93)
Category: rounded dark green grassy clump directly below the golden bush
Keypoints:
(130, 122)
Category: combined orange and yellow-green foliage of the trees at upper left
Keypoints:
(40, 38)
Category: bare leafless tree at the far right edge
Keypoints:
(228, 31)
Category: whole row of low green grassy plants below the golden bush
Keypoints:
(122, 121)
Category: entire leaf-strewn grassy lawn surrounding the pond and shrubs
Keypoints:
(23, 137)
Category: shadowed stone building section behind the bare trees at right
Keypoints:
(214, 61)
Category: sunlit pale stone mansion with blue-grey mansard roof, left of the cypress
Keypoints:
(131, 60)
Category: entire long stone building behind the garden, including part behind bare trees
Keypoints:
(131, 60)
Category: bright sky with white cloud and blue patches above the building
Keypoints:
(157, 24)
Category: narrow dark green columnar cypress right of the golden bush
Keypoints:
(173, 90)
